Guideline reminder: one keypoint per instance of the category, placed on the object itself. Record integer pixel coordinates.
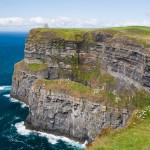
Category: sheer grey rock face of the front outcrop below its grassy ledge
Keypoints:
(58, 112)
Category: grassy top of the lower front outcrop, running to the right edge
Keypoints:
(78, 90)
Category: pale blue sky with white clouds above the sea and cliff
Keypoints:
(23, 15)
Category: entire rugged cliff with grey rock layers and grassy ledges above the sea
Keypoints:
(103, 68)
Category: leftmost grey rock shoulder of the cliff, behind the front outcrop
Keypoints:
(23, 79)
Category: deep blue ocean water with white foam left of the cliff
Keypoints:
(13, 135)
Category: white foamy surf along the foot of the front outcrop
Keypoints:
(21, 129)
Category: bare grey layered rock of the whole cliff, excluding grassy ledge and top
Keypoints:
(55, 111)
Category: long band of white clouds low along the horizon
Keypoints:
(63, 22)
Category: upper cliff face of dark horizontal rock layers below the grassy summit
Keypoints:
(120, 56)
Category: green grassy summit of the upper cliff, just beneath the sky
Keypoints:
(139, 34)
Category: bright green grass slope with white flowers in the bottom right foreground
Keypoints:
(136, 135)
